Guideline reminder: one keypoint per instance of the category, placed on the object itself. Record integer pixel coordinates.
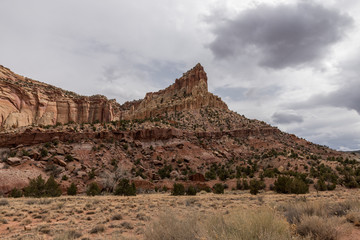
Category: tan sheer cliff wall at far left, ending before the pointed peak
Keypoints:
(26, 102)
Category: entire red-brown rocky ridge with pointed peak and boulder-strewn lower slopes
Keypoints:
(182, 133)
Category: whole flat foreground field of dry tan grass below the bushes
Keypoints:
(131, 218)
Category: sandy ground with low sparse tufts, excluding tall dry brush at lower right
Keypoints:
(114, 217)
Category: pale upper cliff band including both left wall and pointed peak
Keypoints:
(25, 102)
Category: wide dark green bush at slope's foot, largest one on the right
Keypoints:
(285, 184)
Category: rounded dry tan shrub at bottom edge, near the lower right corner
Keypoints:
(319, 227)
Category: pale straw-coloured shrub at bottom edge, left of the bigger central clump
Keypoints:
(170, 227)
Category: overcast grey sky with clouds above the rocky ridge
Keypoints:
(294, 64)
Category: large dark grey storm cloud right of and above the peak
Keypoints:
(282, 35)
